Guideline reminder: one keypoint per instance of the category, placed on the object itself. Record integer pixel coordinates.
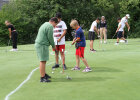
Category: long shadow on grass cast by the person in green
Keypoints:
(81, 79)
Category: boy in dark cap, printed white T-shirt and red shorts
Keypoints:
(59, 38)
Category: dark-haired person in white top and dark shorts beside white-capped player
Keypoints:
(119, 31)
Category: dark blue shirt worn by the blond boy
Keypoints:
(80, 35)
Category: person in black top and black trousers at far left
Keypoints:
(13, 35)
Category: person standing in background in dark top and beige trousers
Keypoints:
(103, 29)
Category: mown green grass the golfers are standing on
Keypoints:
(115, 76)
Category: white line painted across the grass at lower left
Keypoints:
(26, 80)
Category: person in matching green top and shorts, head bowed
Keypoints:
(43, 41)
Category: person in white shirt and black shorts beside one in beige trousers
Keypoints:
(91, 34)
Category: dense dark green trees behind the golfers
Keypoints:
(28, 15)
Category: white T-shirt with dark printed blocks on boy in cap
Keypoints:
(58, 31)
